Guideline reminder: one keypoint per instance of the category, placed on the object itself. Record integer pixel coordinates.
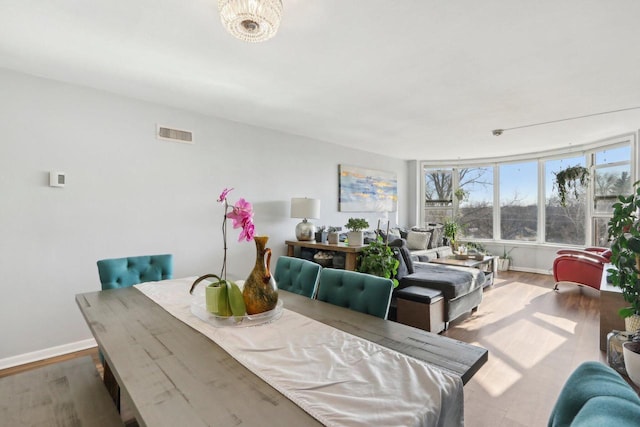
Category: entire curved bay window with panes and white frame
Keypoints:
(515, 199)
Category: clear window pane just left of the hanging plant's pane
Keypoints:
(518, 201)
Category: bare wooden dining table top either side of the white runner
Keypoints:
(174, 375)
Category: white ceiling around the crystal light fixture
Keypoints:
(412, 79)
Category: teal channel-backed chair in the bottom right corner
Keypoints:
(596, 396)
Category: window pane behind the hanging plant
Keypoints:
(564, 224)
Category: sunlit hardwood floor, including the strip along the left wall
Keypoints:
(536, 337)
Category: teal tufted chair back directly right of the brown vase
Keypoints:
(297, 275)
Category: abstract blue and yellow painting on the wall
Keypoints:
(367, 190)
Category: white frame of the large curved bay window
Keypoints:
(588, 151)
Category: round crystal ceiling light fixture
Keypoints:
(251, 20)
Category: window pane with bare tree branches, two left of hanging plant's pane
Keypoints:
(476, 206)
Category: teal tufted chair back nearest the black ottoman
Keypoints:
(357, 291)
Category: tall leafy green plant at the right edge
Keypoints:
(624, 230)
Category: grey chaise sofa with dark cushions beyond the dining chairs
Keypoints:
(461, 287)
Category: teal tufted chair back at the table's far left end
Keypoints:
(124, 272)
